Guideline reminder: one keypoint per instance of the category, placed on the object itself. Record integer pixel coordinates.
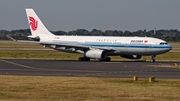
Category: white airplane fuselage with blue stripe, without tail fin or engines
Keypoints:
(116, 45)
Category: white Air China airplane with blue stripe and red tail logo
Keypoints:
(96, 47)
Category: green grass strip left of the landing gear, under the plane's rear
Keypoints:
(38, 54)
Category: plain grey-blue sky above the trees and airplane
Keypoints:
(69, 15)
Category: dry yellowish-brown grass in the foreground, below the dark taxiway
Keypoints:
(46, 88)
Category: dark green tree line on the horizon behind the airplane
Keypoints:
(172, 35)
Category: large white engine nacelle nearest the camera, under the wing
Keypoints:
(96, 54)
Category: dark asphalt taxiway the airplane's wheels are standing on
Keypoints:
(117, 69)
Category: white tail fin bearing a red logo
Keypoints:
(38, 30)
